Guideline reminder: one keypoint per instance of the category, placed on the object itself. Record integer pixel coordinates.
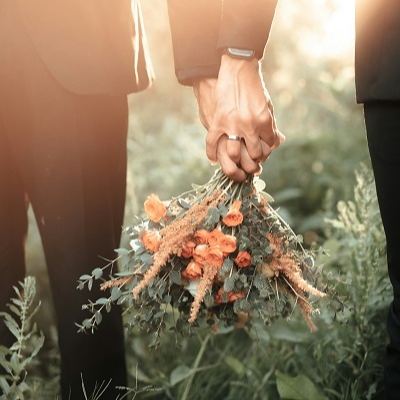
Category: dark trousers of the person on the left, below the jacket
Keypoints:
(66, 155)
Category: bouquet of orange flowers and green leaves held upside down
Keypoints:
(218, 255)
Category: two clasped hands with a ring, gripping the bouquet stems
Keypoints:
(237, 104)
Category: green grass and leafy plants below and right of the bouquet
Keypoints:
(341, 361)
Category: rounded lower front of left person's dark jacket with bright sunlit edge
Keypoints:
(90, 46)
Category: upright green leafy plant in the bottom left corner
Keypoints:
(16, 360)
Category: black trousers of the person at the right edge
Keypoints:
(383, 131)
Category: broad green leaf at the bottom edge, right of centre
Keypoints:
(299, 387)
